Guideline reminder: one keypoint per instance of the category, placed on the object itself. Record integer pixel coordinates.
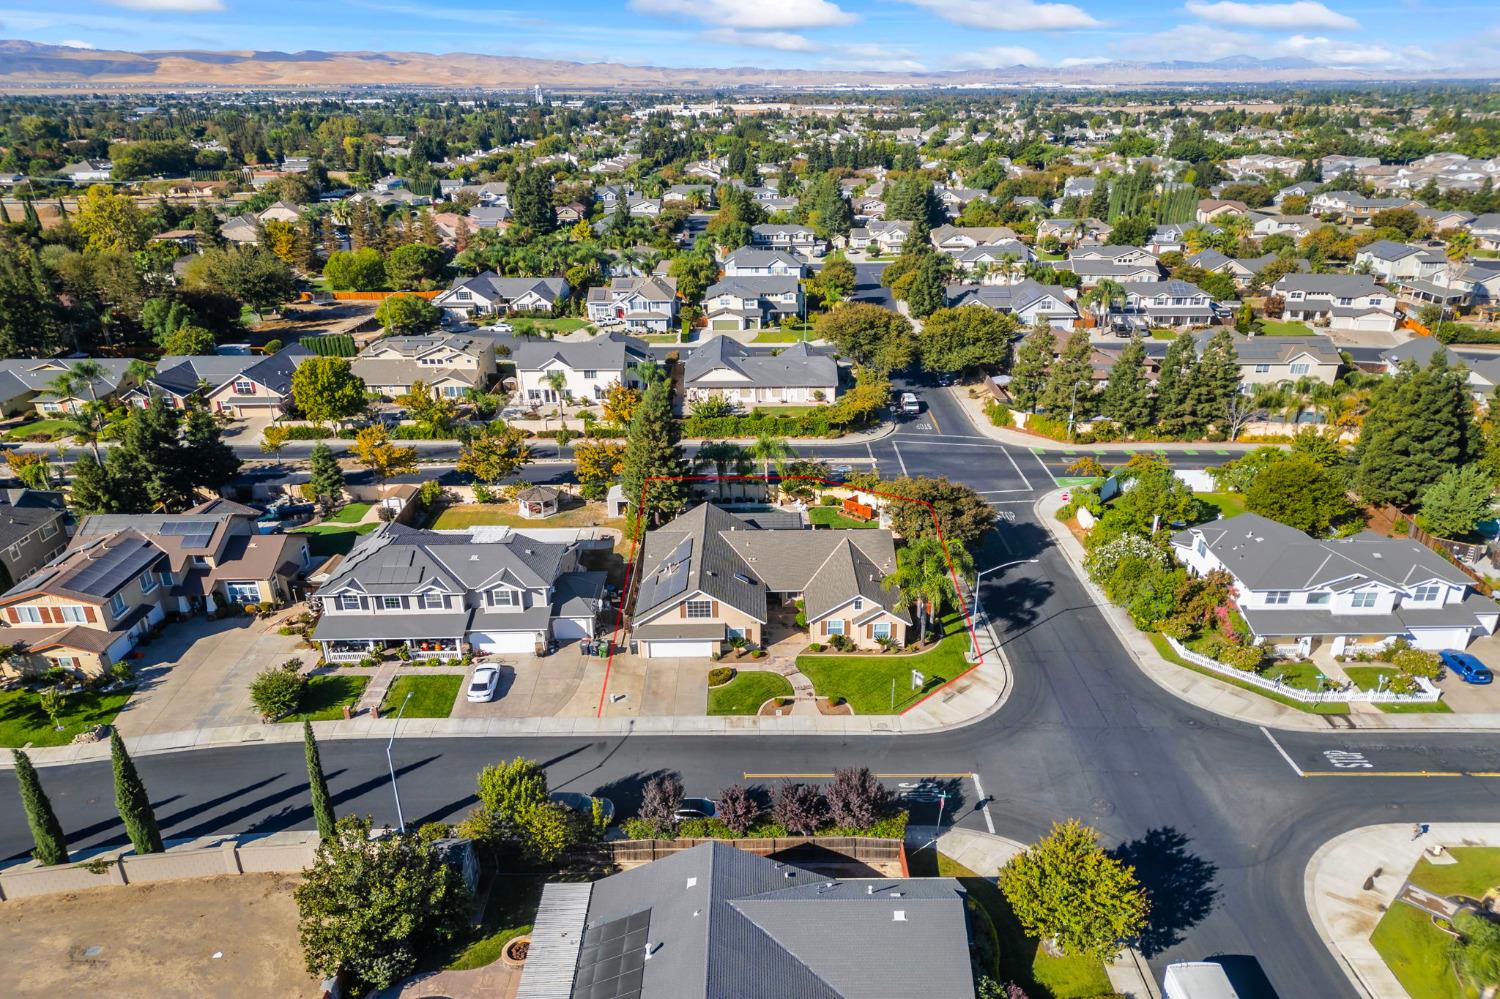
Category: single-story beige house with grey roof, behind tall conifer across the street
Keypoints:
(724, 368)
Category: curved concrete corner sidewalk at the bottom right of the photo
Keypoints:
(1346, 913)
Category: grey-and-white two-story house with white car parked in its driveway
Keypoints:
(445, 593)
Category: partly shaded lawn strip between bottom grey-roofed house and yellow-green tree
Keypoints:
(1021, 959)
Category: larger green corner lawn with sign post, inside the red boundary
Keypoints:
(865, 682)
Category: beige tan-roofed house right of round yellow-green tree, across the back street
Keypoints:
(448, 364)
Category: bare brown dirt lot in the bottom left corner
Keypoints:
(157, 941)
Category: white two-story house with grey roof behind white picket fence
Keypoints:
(1351, 595)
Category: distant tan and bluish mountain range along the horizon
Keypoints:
(32, 65)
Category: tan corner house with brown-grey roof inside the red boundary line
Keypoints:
(710, 577)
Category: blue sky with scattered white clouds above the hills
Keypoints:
(904, 35)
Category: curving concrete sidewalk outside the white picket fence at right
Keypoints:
(1223, 698)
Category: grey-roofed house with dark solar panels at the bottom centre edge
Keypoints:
(718, 922)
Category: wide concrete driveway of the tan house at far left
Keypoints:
(199, 676)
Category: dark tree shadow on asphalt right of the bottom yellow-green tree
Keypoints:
(1180, 884)
